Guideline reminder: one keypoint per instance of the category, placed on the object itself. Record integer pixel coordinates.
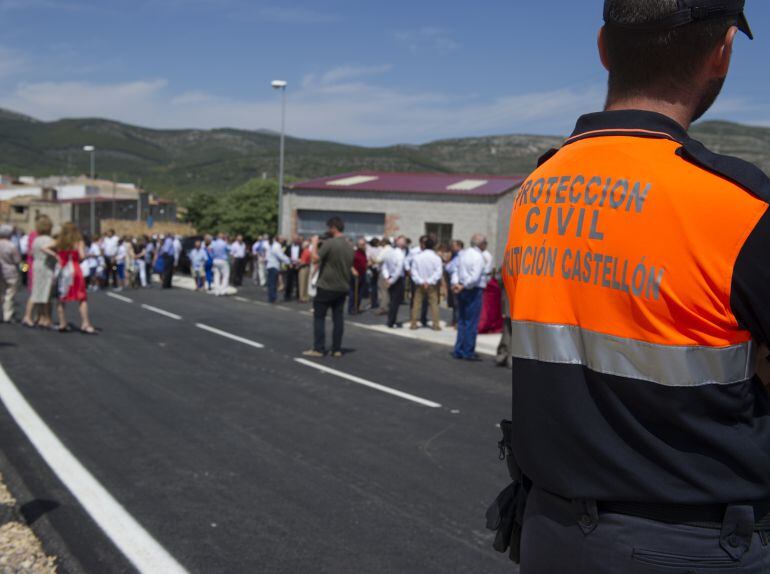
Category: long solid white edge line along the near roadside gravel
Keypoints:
(138, 546)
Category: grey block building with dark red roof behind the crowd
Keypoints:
(375, 204)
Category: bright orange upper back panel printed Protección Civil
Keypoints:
(621, 236)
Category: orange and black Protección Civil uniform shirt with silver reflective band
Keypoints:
(638, 274)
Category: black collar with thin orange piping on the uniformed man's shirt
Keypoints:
(635, 123)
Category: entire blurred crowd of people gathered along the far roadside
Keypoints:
(378, 274)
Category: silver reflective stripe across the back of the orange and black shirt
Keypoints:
(673, 366)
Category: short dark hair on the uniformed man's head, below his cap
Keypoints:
(657, 62)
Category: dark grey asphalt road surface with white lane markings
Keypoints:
(241, 459)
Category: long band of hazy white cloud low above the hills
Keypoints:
(338, 105)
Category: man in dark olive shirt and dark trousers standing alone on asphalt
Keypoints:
(335, 257)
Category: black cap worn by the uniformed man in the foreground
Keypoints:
(688, 12)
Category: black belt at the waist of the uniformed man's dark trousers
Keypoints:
(704, 516)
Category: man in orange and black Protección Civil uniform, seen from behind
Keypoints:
(638, 274)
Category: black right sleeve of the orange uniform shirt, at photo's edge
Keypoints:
(750, 298)
